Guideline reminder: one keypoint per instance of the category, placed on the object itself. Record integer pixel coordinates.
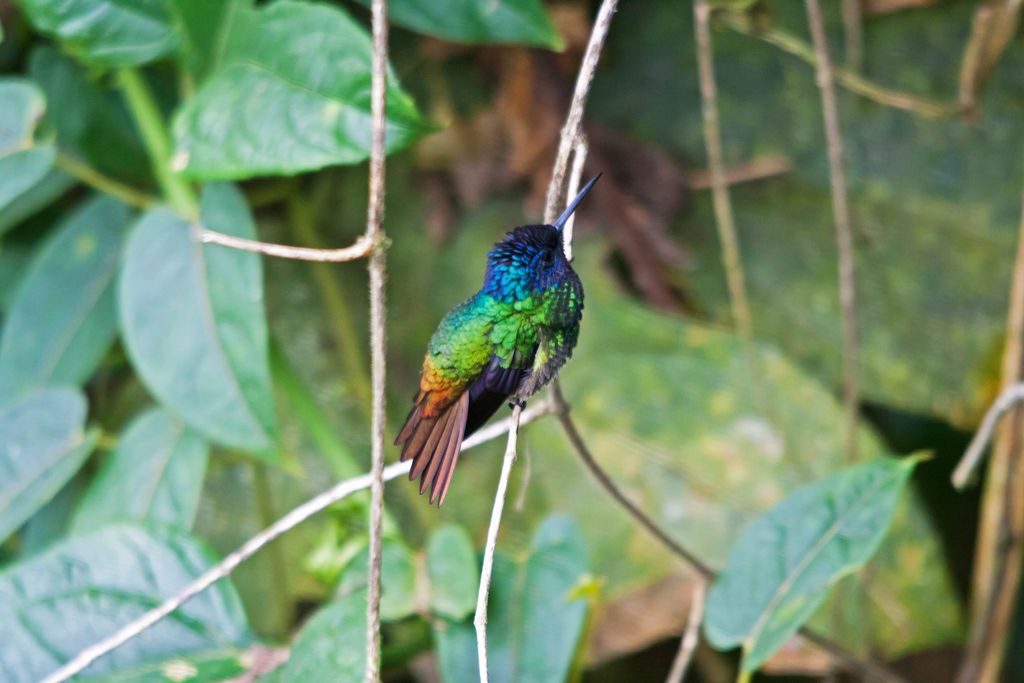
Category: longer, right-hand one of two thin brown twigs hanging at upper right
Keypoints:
(847, 295)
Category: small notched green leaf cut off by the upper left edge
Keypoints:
(22, 163)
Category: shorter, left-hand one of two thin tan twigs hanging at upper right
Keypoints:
(716, 167)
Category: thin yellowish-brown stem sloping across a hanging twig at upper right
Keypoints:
(849, 80)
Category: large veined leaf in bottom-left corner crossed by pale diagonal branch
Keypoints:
(57, 604)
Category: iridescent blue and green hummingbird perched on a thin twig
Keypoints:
(502, 345)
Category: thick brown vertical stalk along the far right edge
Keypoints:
(1001, 536)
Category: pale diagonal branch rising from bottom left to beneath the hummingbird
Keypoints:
(295, 518)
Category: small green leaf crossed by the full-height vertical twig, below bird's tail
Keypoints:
(398, 579)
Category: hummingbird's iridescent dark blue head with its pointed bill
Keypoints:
(531, 259)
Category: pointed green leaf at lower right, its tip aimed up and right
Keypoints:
(780, 571)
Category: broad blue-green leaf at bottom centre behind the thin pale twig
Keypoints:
(535, 616)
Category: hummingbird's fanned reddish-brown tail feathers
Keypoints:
(434, 445)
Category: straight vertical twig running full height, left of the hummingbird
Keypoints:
(377, 337)
